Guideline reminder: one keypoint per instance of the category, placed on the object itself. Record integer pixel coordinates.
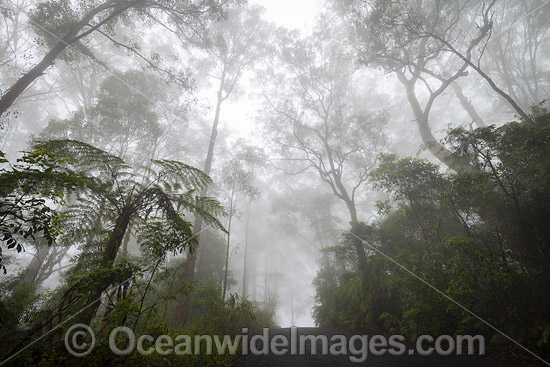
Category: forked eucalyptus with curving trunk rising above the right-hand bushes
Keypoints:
(429, 46)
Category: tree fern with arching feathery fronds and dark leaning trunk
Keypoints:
(117, 198)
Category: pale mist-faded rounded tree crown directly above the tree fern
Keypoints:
(123, 120)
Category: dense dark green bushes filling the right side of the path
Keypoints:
(477, 242)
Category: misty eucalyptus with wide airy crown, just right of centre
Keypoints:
(313, 121)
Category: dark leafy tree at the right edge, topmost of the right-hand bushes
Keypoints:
(513, 160)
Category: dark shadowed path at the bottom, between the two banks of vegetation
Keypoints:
(386, 360)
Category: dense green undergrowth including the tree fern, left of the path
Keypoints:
(106, 199)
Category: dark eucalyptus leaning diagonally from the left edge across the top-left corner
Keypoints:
(63, 27)
